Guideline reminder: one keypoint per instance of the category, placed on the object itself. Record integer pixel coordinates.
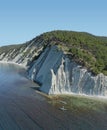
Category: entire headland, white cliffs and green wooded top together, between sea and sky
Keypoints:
(63, 62)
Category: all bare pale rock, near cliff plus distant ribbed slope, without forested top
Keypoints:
(55, 71)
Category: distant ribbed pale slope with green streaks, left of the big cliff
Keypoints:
(22, 54)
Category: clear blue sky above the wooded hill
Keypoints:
(22, 20)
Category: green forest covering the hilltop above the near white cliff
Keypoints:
(86, 49)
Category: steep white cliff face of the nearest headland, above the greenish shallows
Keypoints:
(58, 74)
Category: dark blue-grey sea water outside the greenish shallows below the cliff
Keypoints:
(22, 108)
